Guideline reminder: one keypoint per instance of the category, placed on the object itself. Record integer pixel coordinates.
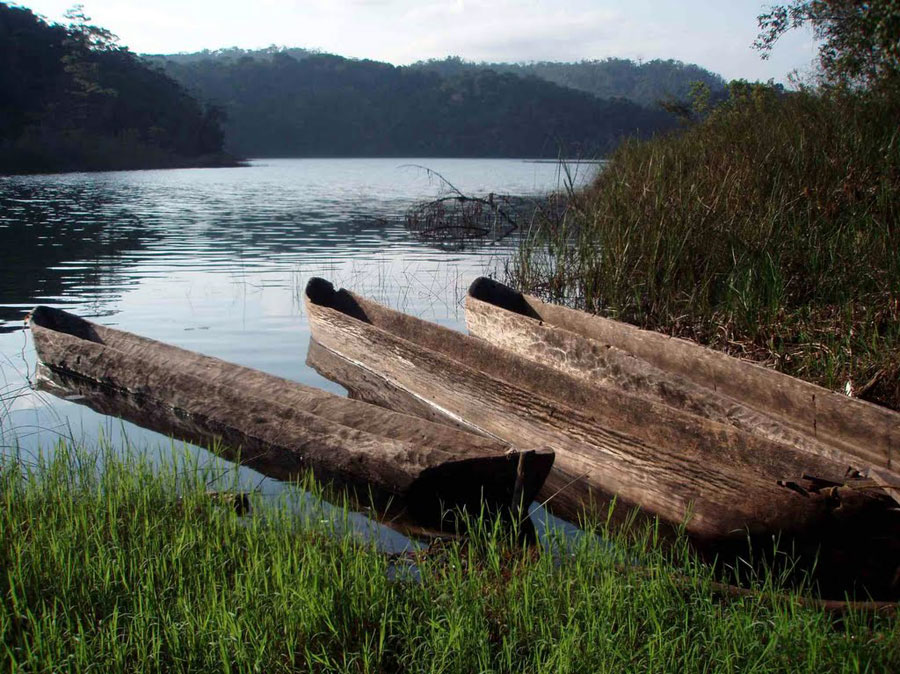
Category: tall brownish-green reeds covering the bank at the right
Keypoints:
(768, 230)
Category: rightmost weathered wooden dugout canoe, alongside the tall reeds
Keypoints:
(685, 375)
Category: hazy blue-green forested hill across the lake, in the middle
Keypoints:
(297, 103)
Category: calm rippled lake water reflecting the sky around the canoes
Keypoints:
(215, 260)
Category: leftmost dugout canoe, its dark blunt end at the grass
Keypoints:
(288, 427)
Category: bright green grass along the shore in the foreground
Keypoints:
(110, 564)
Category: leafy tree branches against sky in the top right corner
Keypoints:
(860, 39)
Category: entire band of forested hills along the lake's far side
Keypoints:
(72, 98)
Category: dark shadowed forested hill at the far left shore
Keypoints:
(72, 99)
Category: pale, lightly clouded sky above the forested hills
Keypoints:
(715, 34)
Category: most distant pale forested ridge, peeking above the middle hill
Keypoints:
(645, 83)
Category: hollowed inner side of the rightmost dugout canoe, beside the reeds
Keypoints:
(867, 432)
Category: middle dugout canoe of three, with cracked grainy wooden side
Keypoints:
(728, 488)
